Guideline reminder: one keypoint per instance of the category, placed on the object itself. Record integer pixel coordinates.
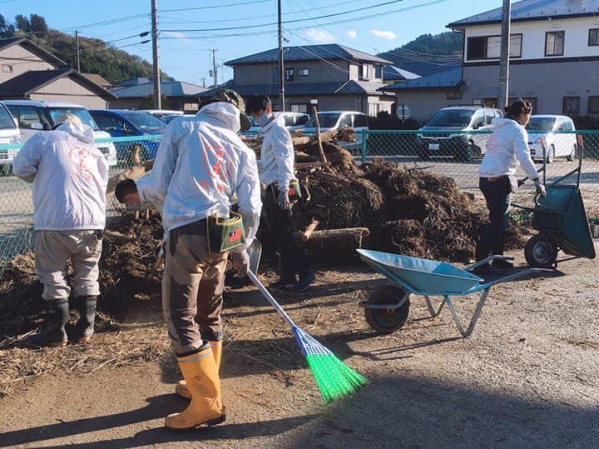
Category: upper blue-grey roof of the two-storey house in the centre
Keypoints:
(308, 53)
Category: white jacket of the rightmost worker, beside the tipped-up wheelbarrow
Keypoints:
(507, 149)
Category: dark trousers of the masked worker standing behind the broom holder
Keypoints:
(293, 256)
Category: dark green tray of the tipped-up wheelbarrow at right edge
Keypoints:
(561, 213)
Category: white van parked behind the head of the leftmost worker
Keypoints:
(34, 116)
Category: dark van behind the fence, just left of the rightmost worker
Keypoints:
(461, 145)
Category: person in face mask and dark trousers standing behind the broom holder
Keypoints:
(276, 173)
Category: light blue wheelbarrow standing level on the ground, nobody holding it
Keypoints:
(388, 308)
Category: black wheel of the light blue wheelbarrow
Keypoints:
(387, 321)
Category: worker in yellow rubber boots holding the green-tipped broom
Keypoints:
(201, 166)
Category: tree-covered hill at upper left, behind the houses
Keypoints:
(95, 55)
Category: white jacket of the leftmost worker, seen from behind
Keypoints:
(69, 176)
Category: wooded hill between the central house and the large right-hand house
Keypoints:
(428, 54)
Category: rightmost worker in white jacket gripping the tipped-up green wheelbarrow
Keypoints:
(507, 149)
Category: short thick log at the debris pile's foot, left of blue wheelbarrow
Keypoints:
(337, 245)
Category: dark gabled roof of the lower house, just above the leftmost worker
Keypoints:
(29, 82)
